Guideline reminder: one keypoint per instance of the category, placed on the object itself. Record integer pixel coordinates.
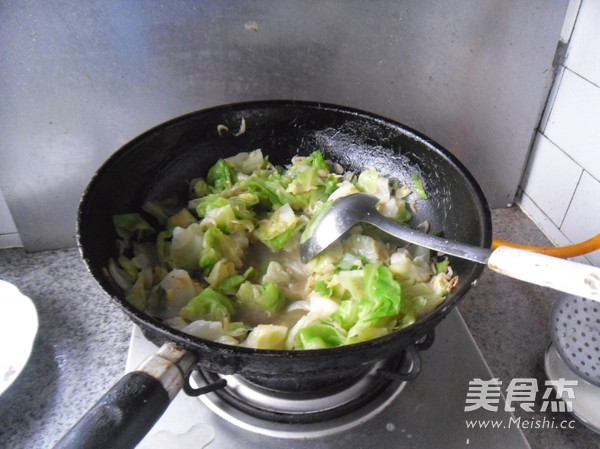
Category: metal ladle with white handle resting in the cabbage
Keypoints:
(563, 275)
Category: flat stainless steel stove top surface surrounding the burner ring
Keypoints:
(424, 413)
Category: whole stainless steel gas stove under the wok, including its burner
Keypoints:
(426, 412)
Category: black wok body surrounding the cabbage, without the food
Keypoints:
(158, 163)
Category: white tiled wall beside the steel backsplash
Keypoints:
(561, 186)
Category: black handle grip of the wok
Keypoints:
(122, 417)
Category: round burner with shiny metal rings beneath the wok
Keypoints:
(327, 410)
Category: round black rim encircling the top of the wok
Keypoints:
(196, 344)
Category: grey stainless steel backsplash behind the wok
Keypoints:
(79, 79)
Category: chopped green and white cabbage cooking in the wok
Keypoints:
(226, 265)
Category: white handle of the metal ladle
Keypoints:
(567, 276)
